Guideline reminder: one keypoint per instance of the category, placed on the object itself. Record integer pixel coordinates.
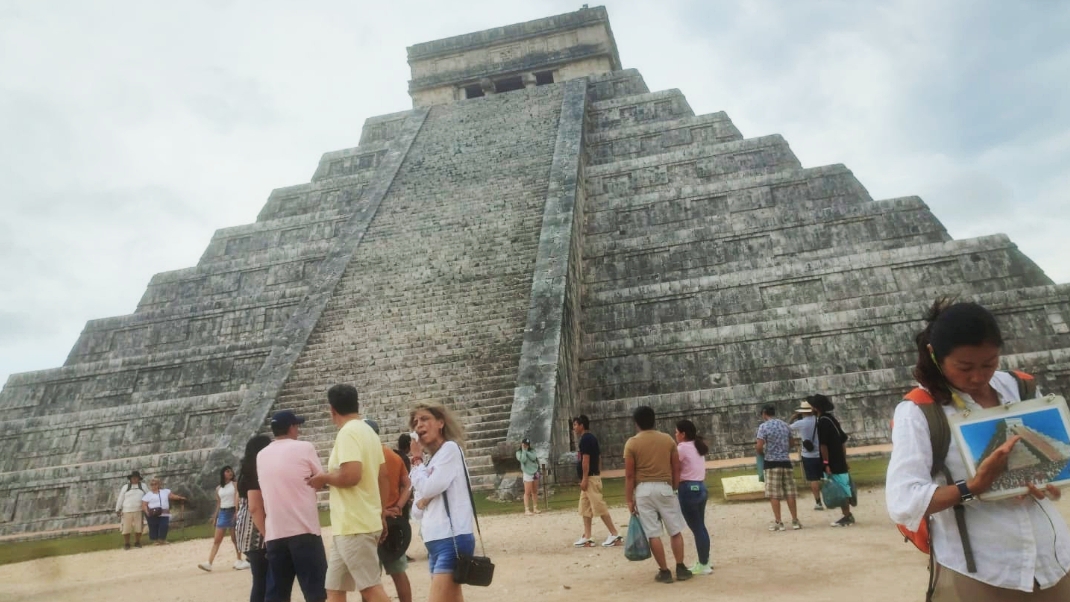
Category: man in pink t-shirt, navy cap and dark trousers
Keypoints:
(293, 522)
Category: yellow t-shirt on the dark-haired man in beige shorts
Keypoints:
(357, 510)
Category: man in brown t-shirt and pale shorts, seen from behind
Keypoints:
(651, 480)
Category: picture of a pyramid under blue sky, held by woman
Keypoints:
(1042, 456)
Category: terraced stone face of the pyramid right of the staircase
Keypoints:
(720, 275)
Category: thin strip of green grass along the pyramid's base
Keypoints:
(866, 472)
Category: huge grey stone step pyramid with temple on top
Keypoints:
(541, 236)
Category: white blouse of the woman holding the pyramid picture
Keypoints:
(1015, 542)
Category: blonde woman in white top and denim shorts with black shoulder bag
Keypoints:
(444, 505)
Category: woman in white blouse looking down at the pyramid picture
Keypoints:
(1020, 547)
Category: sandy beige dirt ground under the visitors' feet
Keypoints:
(536, 559)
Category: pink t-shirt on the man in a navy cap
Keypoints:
(289, 503)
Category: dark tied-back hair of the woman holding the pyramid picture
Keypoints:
(949, 327)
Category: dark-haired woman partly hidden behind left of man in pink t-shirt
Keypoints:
(250, 523)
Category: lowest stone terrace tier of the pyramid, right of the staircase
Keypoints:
(728, 418)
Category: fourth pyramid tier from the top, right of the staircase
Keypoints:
(701, 165)
